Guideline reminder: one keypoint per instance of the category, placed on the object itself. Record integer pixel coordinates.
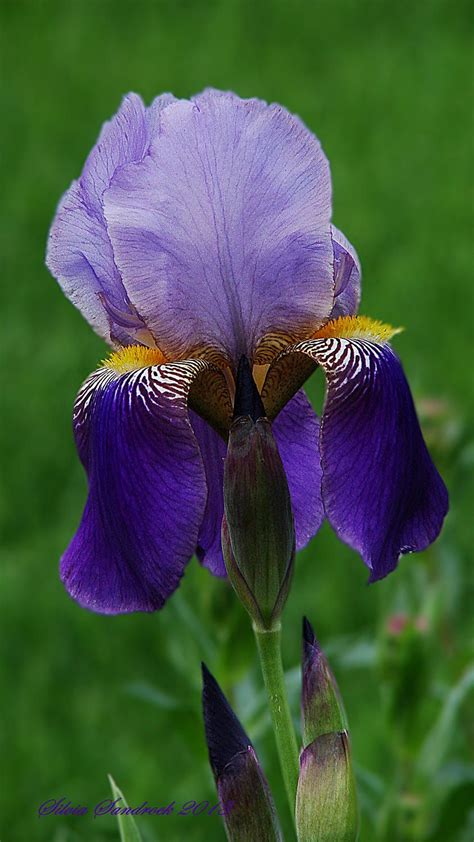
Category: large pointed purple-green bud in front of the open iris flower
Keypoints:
(258, 535)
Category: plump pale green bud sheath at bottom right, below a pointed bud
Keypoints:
(326, 807)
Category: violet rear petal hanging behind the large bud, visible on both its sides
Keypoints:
(296, 432)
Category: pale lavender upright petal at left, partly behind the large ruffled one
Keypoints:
(79, 252)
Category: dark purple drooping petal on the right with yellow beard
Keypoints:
(381, 491)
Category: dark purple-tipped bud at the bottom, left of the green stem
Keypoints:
(246, 802)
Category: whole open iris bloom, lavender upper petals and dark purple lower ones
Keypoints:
(200, 232)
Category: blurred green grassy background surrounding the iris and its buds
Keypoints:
(388, 89)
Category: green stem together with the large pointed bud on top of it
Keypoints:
(258, 541)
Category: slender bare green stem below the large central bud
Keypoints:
(269, 650)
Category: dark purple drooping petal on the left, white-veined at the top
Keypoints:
(147, 489)
